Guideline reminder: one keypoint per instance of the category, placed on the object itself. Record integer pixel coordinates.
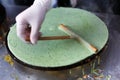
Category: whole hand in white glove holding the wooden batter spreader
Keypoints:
(32, 17)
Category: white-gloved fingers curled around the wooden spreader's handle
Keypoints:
(23, 33)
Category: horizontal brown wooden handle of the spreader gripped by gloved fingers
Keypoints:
(51, 38)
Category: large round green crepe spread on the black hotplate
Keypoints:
(58, 53)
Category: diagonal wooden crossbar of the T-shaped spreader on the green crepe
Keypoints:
(80, 39)
